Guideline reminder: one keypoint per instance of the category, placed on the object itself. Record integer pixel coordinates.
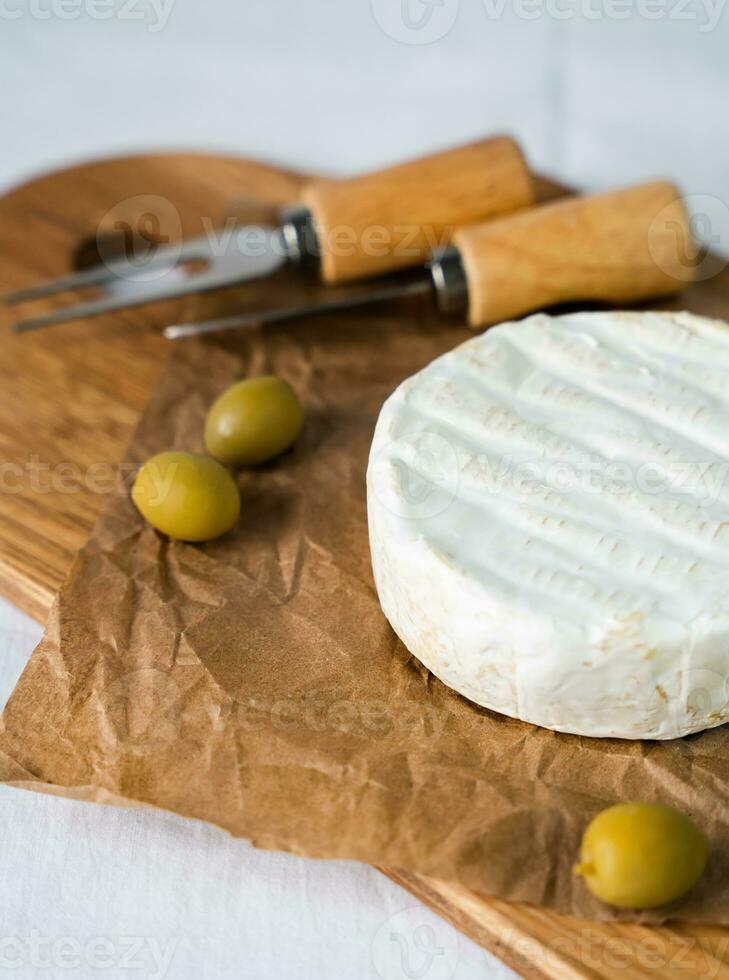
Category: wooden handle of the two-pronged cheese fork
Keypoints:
(397, 217)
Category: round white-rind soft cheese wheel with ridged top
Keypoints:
(549, 521)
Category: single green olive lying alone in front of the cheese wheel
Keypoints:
(641, 855)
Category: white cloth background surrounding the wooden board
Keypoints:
(85, 890)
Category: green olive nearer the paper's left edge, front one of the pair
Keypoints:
(187, 496)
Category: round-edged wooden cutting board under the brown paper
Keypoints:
(70, 399)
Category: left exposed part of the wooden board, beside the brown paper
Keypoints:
(71, 396)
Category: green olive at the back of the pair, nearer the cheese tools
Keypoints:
(253, 421)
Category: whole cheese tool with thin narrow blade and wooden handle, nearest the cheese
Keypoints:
(620, 247)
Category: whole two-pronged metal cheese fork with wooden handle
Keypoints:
(343, 229)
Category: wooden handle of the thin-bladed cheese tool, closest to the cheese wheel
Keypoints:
(620, 247)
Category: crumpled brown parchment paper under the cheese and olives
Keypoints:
(254, 683)
